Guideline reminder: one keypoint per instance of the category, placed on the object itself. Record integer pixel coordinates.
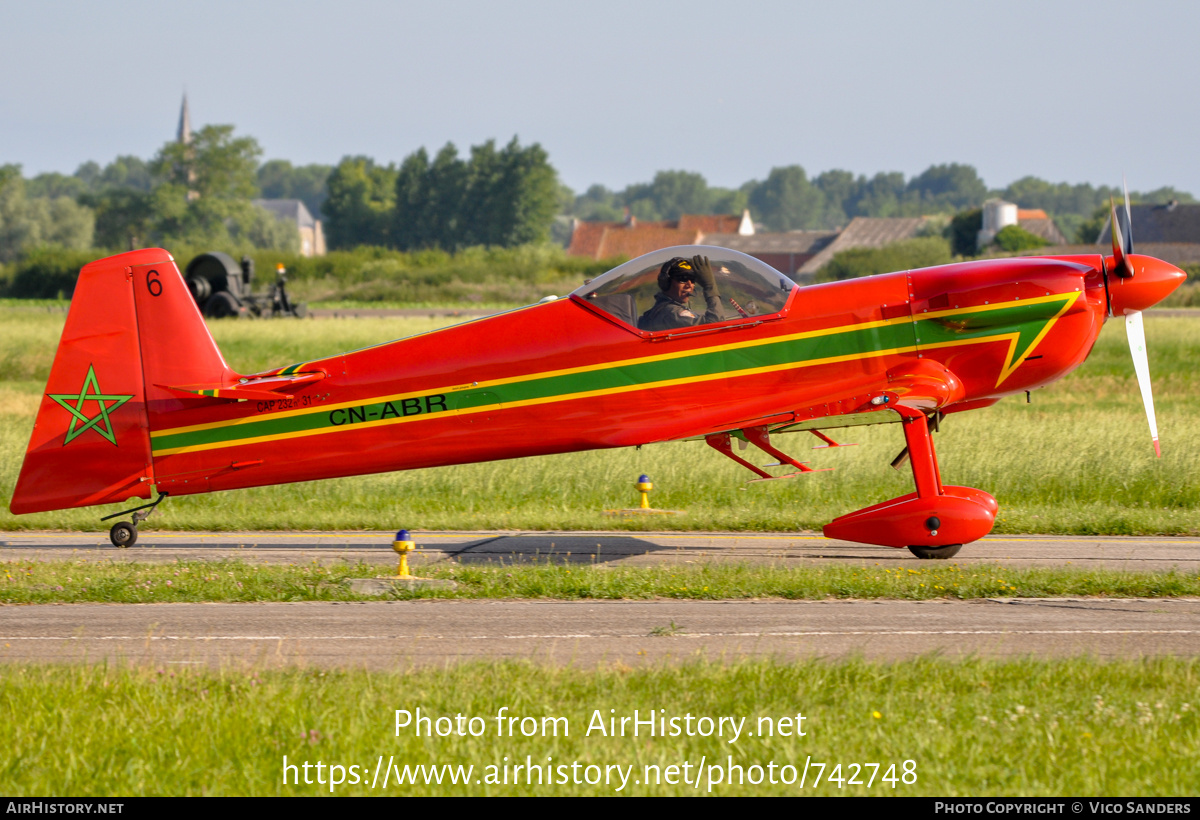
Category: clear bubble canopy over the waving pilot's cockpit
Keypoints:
(747, 288)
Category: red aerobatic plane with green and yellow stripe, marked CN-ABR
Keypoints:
(140, 397)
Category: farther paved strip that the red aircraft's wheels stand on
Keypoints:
(634, 549)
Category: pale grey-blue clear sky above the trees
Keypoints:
(1078, 92)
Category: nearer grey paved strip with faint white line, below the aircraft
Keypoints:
(405, 635)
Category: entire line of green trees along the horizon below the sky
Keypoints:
(200, 196)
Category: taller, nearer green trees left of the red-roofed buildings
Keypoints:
(201, 195)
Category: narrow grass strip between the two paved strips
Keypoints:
(110, 582)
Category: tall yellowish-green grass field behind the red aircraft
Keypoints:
(1078, 460)
